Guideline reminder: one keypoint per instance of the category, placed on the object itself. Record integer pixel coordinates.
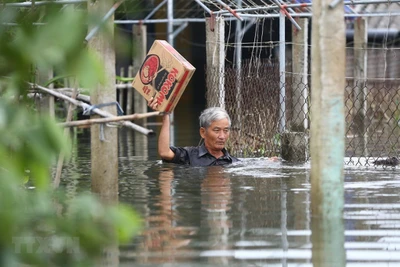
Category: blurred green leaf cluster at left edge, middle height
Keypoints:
(28, 142)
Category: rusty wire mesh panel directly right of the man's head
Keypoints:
(252, 101)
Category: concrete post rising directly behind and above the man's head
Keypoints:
(215, 53)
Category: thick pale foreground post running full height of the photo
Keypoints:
(327, 133)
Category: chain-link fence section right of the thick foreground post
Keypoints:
(372, 119)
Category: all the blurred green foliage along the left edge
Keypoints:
(38, 226)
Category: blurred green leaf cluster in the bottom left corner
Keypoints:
(44, 230)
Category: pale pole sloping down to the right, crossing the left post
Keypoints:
(100, 112)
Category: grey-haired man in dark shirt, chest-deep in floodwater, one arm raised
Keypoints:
(215, 126)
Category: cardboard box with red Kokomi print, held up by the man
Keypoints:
(164, 75)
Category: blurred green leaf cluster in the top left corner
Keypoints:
(58, 43)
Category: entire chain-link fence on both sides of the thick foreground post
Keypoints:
(257, 101)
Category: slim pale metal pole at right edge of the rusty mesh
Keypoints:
(282, 70)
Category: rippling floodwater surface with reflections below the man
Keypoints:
(255, 212)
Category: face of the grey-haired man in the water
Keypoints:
(216, 135)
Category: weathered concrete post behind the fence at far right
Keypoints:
(360, 88)
